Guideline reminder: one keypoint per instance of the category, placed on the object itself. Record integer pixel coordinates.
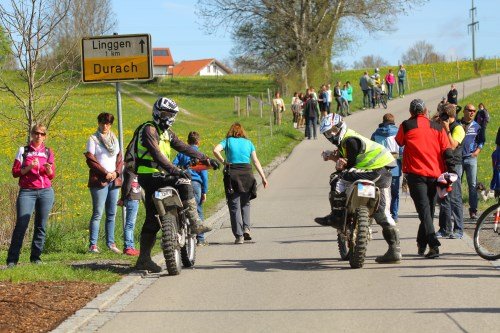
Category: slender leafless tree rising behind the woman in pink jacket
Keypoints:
(30, 26)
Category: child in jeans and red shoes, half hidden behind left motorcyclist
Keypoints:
(131, 194)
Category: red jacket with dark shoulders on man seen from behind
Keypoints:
(425, 143)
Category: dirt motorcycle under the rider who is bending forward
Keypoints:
(363, 198)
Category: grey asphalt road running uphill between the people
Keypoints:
(290, 278)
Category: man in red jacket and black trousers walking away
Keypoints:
(426, 155)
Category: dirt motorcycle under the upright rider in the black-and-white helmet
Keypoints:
(178, 242)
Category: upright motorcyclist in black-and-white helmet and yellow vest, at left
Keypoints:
(155, 170)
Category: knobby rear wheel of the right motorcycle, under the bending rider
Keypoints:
(359, 237)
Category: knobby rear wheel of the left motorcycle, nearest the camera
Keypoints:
(170, 244)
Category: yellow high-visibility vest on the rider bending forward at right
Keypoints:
(372, 156)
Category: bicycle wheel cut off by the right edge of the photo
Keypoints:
(487, 234)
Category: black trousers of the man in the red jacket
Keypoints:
(423, 193)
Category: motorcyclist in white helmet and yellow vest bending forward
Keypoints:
(357, 158)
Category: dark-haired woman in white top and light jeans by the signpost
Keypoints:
(105, 165)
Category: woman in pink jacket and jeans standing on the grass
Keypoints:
(35, 168)
